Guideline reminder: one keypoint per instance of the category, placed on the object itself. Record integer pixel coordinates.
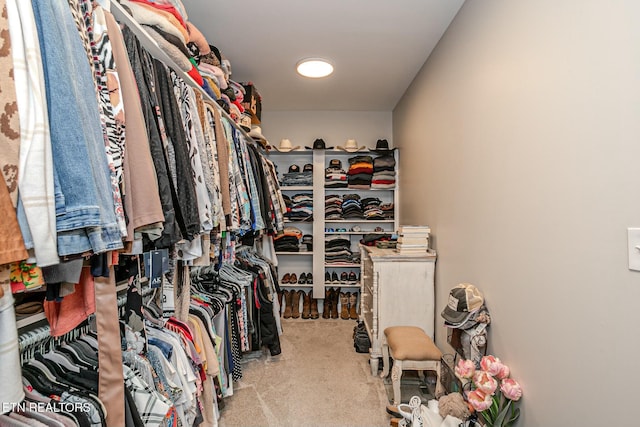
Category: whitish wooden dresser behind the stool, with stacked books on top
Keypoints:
(396, 290)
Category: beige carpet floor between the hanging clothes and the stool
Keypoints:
(318, 380)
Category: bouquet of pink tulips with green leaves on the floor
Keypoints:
(493, 394)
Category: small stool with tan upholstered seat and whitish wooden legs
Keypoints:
(411, 349)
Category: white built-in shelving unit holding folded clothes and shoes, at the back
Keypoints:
(340, 275)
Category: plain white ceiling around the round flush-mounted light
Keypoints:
(377, 47)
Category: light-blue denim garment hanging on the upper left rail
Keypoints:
(85, 215)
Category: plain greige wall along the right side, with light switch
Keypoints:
(523, 132)
